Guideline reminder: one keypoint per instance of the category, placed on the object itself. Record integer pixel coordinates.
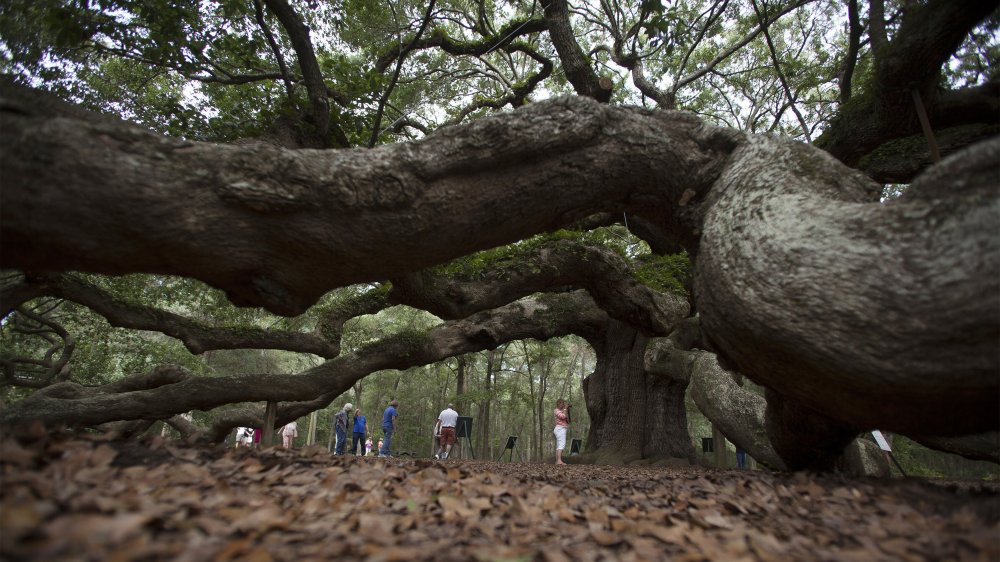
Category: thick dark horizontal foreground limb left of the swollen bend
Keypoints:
(279, 228)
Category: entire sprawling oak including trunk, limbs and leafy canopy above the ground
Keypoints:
(696, 189)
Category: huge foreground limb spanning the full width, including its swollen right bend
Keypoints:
(847, 306)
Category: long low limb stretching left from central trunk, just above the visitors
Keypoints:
(170, 390)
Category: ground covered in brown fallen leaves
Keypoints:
(88, 499)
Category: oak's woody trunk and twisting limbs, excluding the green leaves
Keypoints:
(854, 314)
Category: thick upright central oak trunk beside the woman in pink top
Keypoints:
(633, 416)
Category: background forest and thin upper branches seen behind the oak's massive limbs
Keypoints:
(363, 73)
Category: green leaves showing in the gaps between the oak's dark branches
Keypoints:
(205, 70)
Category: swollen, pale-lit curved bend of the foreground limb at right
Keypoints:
(853, 309)
